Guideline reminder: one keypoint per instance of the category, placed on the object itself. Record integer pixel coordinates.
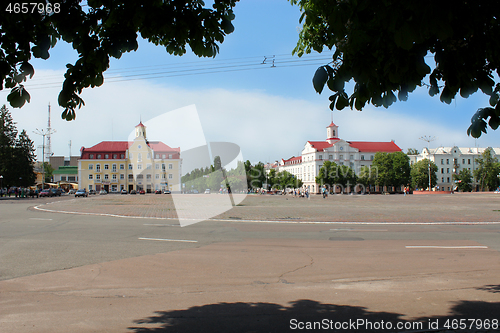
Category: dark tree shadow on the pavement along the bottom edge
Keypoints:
(270, 317)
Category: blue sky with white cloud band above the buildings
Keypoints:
(270, 112)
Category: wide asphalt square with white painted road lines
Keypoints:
(253, 268)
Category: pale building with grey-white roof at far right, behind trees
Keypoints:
(450, 161)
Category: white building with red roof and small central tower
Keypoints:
(355, 154)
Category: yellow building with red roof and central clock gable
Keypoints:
(137, 165)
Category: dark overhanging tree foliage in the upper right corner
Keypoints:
(383, 45)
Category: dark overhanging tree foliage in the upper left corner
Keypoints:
(98, 30)
